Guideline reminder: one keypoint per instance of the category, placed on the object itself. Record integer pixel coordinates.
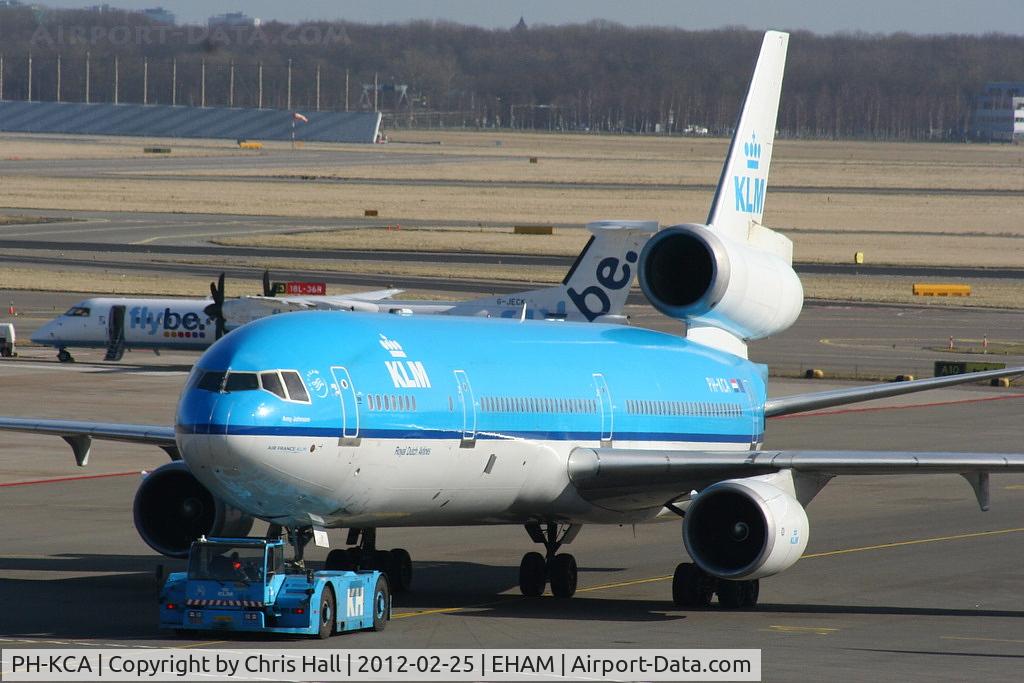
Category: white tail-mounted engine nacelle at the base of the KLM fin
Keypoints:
(696, 275)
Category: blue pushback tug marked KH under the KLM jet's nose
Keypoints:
(245, 585)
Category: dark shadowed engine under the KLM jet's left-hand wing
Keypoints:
(173, 509)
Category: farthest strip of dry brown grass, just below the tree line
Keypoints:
(671, 161)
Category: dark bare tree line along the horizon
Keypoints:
(593, 77)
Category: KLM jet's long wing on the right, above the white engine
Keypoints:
(629, 480)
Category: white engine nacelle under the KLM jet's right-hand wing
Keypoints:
(745, 529)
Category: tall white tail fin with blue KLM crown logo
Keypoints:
(739, 205)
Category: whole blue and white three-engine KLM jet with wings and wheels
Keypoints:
(378, 421)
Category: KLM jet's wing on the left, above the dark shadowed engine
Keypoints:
(79, 435)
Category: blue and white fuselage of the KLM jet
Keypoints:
(377, 421)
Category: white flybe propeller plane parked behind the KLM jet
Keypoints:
(595, 288)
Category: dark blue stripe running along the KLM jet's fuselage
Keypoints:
(294, 431)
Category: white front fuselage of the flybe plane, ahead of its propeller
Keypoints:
(166, 323)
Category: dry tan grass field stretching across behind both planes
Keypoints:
(909, 208)
